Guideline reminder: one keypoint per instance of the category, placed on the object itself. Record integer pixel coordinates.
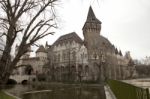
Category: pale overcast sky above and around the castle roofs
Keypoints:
(126, 23)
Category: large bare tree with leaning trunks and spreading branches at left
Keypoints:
(26, 20)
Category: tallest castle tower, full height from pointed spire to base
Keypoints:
(92, 40)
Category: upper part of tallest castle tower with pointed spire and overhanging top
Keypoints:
(91, 28)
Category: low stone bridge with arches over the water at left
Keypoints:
(21, 78)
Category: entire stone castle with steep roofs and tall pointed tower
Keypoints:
(71, 58)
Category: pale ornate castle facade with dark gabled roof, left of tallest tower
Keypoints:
(68, 58)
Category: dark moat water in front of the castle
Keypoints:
(60, 92)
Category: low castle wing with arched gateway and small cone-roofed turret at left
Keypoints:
(32, 65)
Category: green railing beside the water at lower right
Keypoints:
(124, 90)
